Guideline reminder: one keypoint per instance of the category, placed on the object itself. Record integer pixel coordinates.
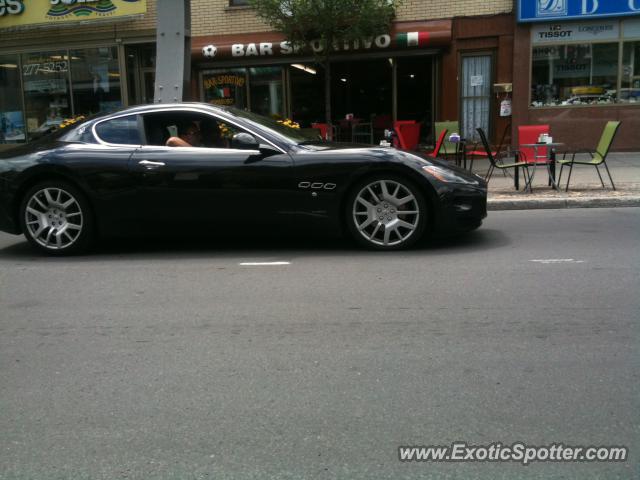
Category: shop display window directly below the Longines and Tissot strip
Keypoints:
(574, 74)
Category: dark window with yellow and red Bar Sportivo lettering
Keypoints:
(225, 87)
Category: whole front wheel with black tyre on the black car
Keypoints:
(386, 212)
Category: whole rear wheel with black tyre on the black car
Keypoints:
(56, 218)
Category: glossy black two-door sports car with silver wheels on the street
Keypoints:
(230, 169)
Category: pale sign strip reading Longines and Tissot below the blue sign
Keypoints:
(575, 32)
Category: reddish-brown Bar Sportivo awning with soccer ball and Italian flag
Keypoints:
(404, 35)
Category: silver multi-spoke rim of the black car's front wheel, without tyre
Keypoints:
(386, 213)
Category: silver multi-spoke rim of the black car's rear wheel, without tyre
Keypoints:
(53, 218)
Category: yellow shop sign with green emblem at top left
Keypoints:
(21, 13)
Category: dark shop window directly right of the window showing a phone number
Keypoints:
(95, 78)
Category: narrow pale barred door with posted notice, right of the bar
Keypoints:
(475, 94)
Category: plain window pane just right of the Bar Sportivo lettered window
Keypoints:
(266, 91)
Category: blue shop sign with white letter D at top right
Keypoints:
(546, 10)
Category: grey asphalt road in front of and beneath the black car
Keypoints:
(170, 360)
